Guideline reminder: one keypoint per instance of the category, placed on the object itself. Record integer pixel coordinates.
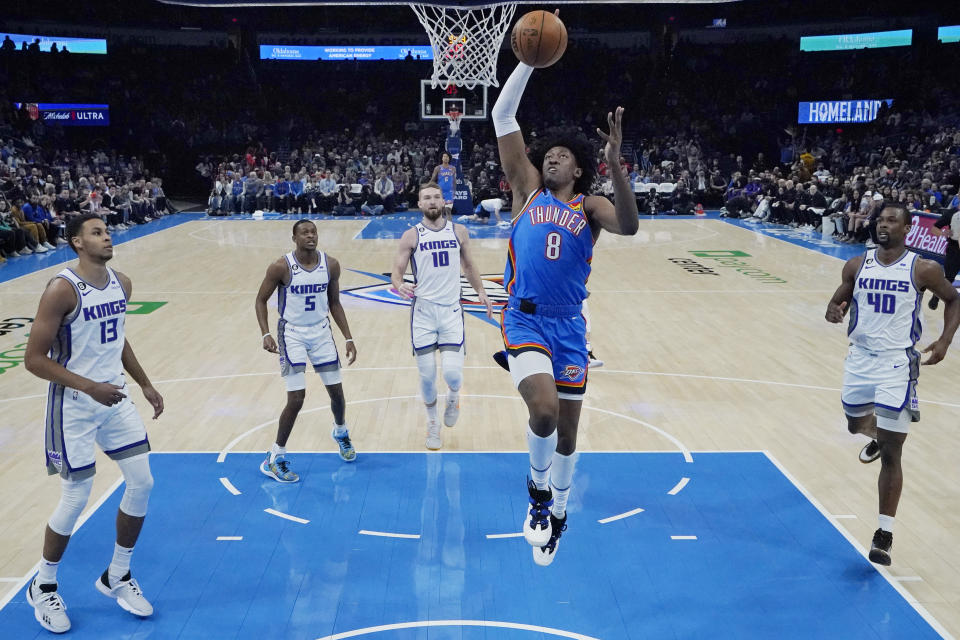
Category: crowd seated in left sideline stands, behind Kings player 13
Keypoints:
(41, 189)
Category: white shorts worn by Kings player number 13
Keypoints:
(76, 424)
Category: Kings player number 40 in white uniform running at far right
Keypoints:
(883, 290)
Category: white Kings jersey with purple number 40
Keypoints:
(885, 312)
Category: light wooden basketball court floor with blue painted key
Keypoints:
(718, 491)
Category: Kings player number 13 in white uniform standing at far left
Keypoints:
(78, 343)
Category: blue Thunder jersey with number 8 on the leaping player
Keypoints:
(551, 246)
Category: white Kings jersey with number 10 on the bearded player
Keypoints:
(436, 264)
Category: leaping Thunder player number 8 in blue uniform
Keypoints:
(555, 225)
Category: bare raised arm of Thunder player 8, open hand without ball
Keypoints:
(621, 218)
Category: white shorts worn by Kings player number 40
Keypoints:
(884, 383)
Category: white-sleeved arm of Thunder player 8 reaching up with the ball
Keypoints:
(522, 175)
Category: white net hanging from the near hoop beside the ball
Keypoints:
(465, 42)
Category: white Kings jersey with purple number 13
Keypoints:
(90, 340)
